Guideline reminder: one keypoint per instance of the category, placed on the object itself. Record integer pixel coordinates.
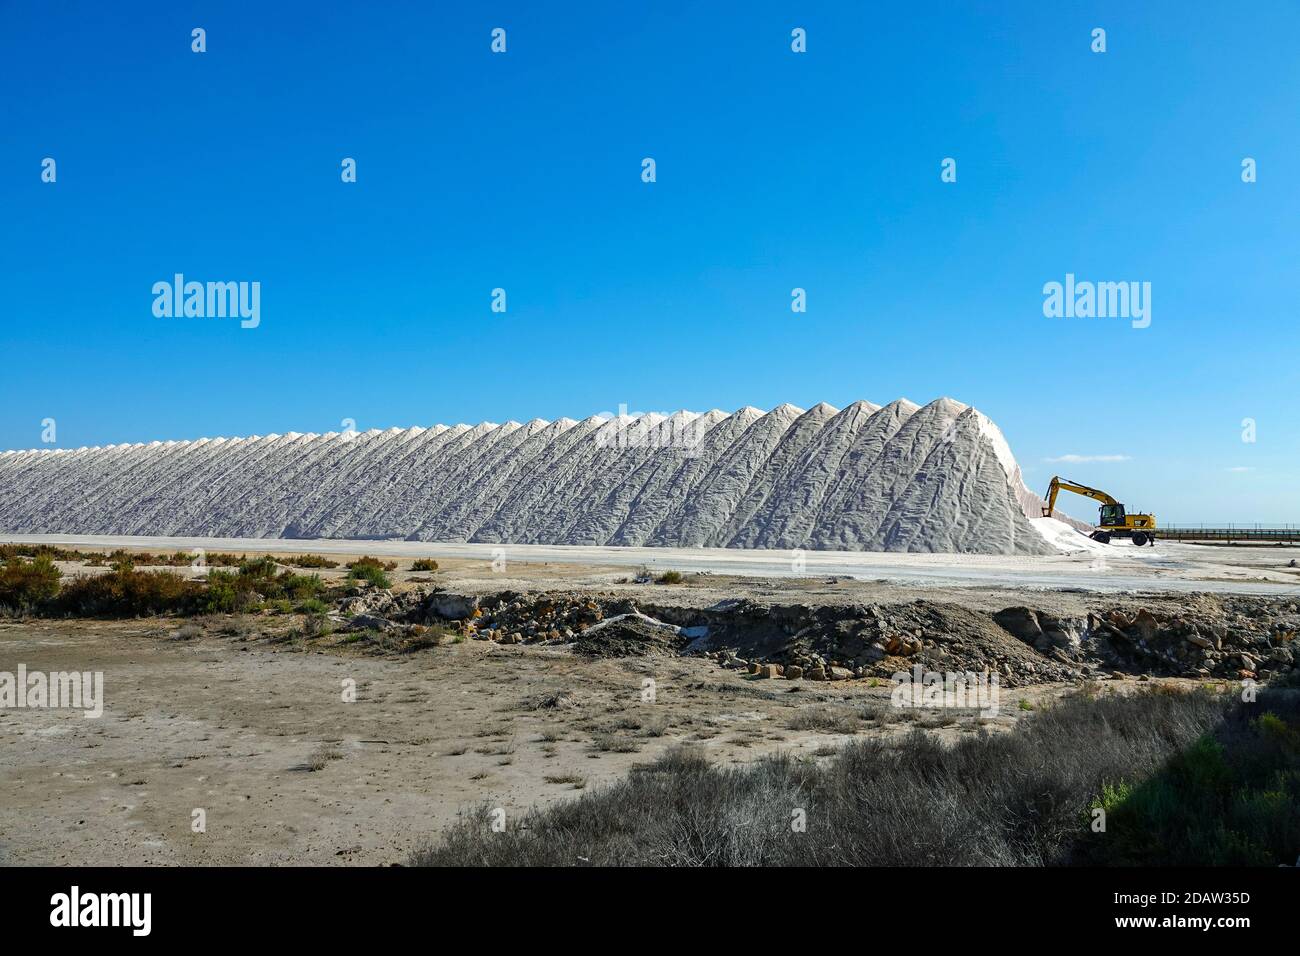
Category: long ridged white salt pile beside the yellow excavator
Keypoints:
(902, 478)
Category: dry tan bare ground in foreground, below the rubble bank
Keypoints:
(235, 725)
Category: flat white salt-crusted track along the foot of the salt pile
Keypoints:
(1169, 568)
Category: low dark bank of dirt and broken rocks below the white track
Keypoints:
(1208, 637)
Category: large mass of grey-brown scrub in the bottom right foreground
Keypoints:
(1188, 777)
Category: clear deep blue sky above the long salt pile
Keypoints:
(775, 171)
